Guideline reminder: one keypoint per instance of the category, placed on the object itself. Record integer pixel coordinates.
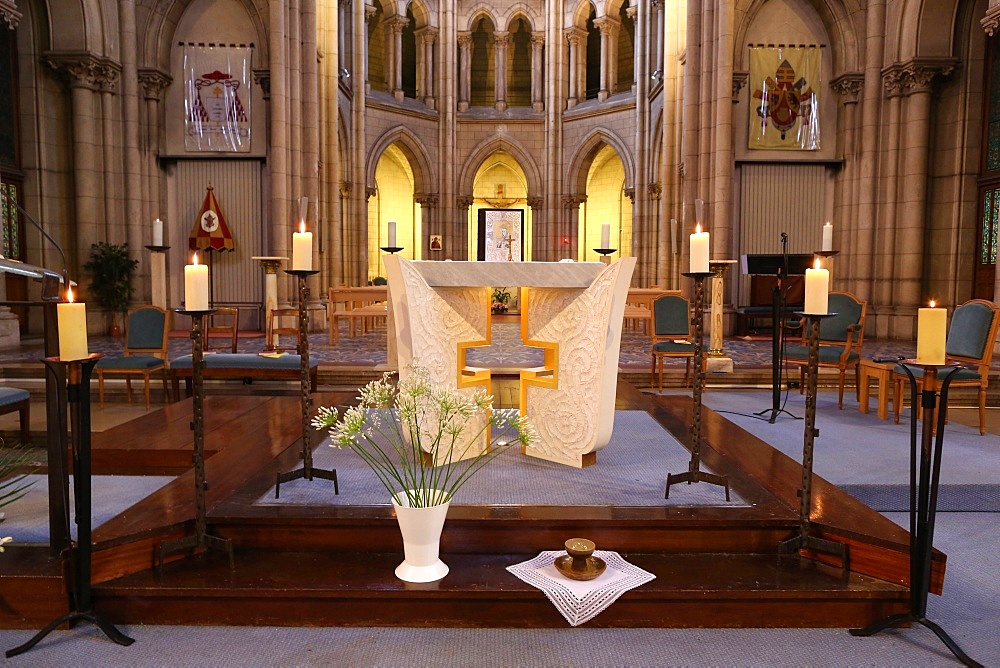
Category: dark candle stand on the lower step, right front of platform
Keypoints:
(804, 540)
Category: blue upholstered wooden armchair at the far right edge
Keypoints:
(971, 337)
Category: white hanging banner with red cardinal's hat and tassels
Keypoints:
(217, 97)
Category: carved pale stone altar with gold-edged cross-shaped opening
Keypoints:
(571, 310)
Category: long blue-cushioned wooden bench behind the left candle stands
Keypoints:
(242, 366)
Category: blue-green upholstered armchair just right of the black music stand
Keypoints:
(840, 339)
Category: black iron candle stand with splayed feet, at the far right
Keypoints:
(925, 472)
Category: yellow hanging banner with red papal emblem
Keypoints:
(784, 103)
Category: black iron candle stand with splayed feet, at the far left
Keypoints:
(78, 373)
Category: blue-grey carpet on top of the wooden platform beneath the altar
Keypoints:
(630, 471)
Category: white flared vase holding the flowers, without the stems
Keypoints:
(421, 529)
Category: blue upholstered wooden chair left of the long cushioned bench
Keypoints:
(145, 351)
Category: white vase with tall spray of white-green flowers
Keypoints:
(423, 441)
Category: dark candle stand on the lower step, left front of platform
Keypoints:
(201, 539)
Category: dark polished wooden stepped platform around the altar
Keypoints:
(333, 565)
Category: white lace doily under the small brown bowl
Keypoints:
(580, 601)
